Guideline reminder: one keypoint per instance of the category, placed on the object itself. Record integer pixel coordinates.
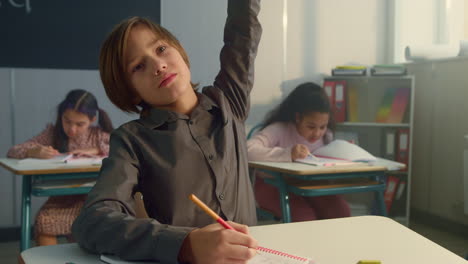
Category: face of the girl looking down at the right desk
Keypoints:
(312, 126)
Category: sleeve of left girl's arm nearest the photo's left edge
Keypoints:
(44, 138)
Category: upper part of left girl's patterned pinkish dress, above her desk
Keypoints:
(94, 137)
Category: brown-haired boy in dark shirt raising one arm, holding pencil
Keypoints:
(185, 141)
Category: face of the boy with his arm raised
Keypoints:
(156, 70)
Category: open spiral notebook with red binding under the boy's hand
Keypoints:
(264, 256)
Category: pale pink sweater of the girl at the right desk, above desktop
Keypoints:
(274, 142)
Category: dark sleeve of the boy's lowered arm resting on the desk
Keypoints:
(107, 223)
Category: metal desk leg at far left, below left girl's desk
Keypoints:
(26, 213)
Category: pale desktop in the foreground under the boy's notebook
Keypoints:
(334, 241)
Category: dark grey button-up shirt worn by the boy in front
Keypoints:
(167, 156)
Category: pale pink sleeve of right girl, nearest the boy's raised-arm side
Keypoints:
(263, 146)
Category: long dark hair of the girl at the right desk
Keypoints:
(306, 98)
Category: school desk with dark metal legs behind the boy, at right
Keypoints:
(308, 180)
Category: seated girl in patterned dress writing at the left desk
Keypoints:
(73, 132)
